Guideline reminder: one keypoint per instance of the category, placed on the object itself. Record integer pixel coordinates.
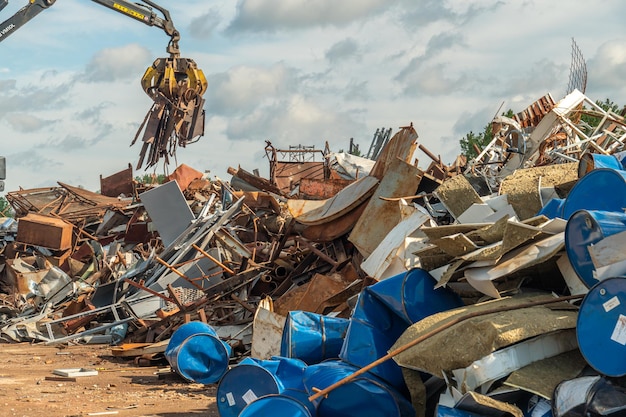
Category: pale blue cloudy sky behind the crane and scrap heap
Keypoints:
(292, 72)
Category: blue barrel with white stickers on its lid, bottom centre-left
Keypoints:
(255, 378)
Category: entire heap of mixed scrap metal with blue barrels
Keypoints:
(493, 286)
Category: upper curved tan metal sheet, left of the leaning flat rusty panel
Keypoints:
(334, 207)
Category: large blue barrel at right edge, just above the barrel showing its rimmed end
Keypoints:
(601, 189)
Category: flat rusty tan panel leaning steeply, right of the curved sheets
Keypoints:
(381, 216)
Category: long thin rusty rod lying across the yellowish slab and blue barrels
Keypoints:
(324, 392)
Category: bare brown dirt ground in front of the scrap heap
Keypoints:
(121, 388)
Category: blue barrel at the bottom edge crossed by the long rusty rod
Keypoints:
(363, 396)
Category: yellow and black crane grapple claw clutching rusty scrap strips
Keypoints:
(176, 118)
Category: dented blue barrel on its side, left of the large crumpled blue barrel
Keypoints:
(312, 337)
